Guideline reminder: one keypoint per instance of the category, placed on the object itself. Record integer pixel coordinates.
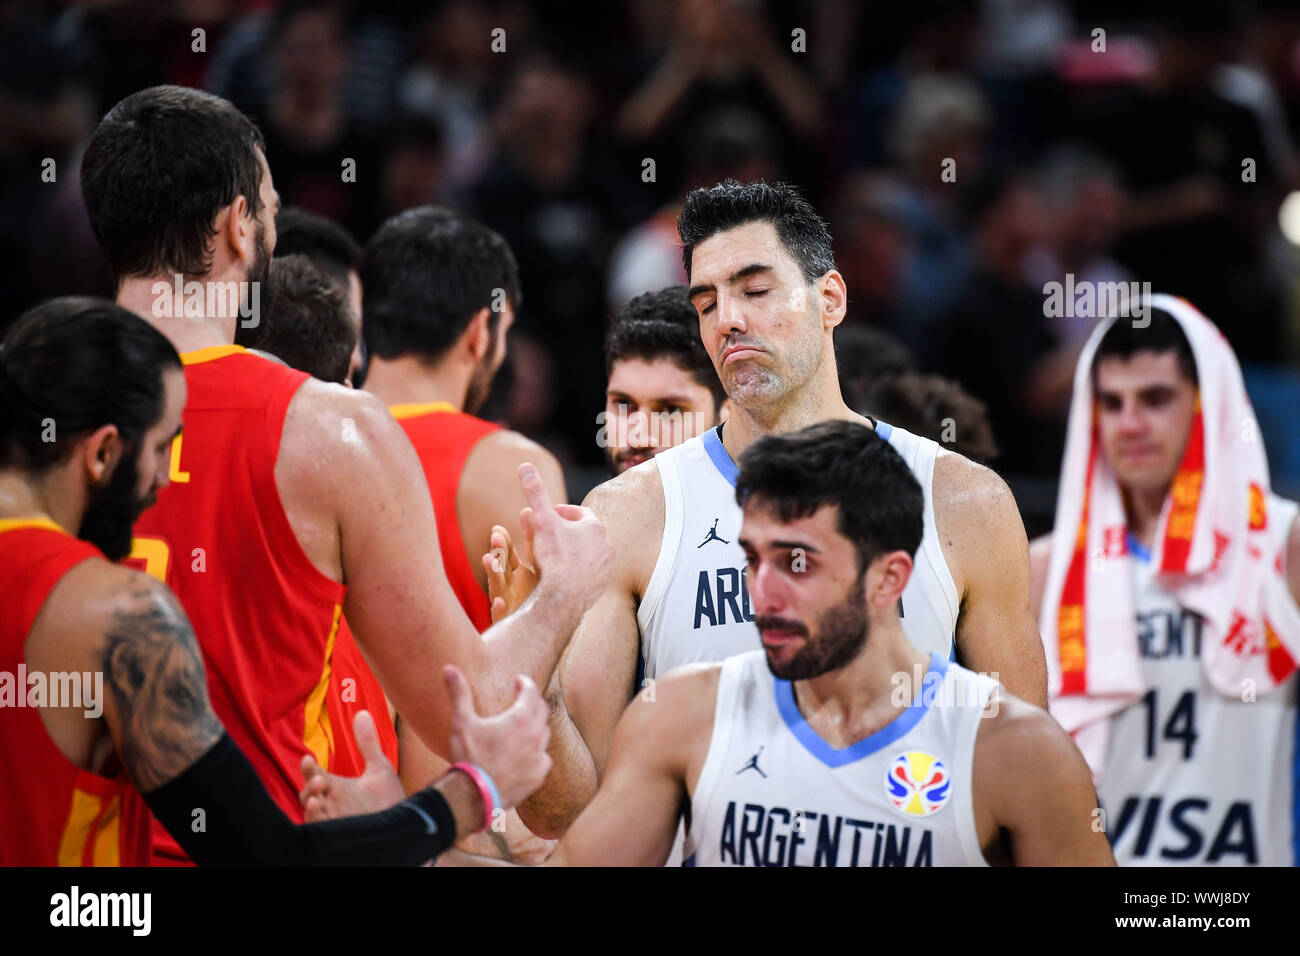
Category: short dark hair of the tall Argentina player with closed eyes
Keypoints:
(729, 205)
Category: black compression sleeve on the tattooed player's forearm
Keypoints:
(241, 825)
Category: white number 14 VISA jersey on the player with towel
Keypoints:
(1191, 776)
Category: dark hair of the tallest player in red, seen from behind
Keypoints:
(159, 168)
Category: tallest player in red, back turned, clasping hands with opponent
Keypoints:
(292, 500)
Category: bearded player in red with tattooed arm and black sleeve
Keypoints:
(101, 681)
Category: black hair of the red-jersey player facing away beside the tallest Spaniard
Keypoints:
(424, 276)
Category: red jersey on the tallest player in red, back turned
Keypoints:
(266, 620)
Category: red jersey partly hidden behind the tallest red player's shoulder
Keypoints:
(444, 439)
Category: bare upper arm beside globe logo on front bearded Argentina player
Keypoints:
(1038, 789)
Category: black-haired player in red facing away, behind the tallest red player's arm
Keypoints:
(440, 295)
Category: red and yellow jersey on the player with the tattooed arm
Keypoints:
(51, 811)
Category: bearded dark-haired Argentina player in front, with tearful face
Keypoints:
(839, 743)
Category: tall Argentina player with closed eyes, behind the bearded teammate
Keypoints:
(769, 297)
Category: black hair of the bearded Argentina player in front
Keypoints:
(846, 465)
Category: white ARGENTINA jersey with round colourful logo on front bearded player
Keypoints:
(774, 794)
